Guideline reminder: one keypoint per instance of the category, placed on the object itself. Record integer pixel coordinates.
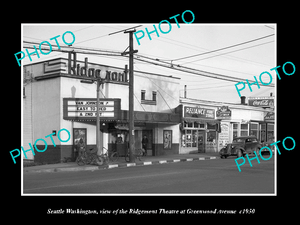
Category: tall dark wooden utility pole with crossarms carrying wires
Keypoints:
(131, 99)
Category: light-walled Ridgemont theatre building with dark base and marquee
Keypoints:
(57, 94)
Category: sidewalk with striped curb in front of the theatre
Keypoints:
(146, 160)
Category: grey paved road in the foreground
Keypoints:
(217, 176)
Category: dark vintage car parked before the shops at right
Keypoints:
(241, 146)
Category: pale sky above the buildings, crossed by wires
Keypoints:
(243, 61)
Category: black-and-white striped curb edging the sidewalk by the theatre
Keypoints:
(120, 165)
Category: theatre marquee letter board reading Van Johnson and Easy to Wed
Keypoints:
(86, 108)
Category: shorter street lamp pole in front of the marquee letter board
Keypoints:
(100, 78)
